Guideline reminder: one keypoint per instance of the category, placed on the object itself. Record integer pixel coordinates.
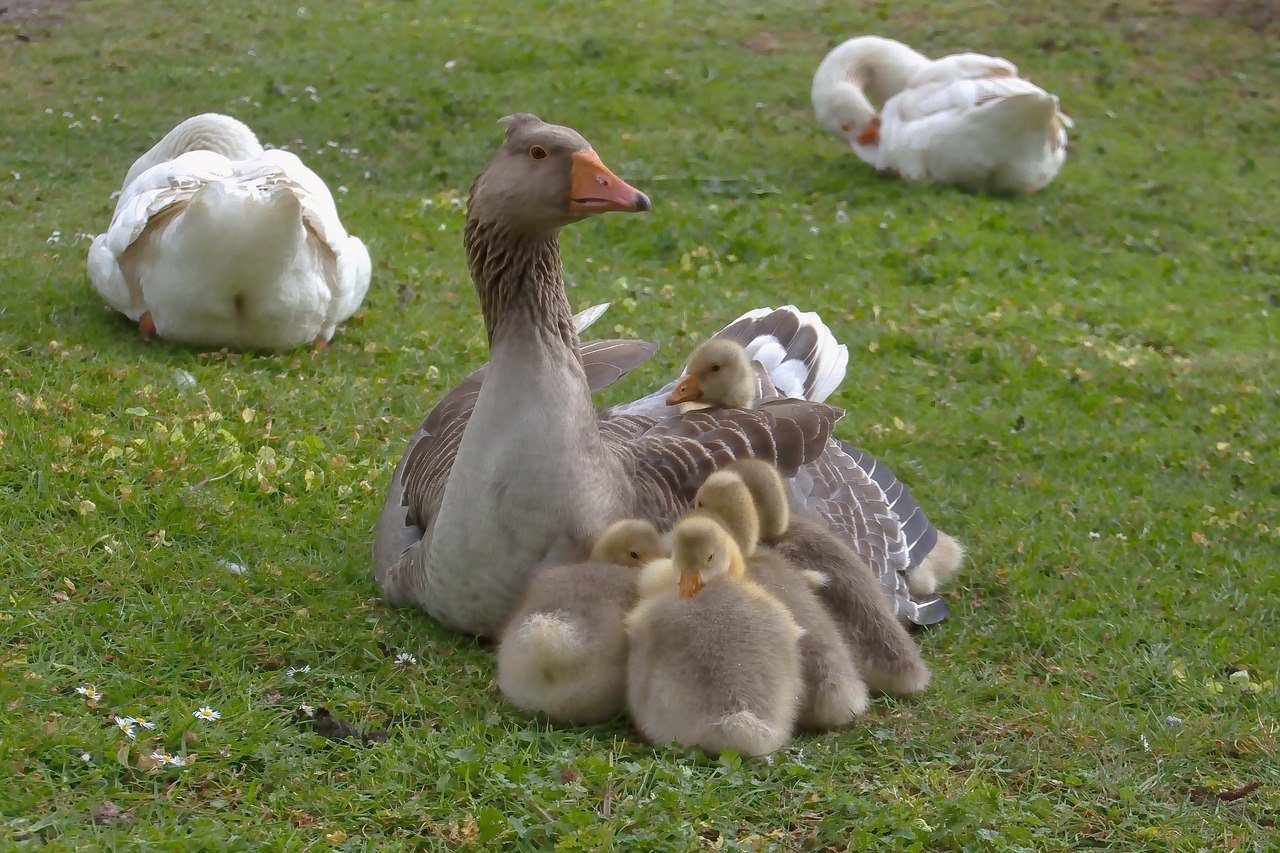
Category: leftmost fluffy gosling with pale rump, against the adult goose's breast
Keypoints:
(565, 650)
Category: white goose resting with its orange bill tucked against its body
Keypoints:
(967, 120)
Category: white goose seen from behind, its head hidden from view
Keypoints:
(218, 243)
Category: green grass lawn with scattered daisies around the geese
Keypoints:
(1081, 385)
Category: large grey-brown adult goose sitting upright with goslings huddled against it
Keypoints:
(515, 469)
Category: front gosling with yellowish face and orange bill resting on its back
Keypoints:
(717, 668)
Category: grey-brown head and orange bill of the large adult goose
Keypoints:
(545, 177)
